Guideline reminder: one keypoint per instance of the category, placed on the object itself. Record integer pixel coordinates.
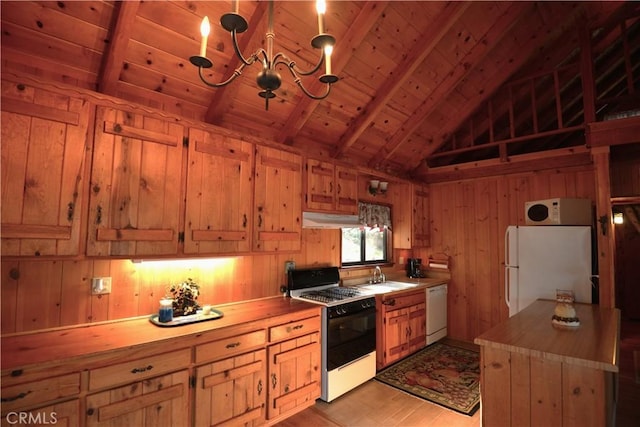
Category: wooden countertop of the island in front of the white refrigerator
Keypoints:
(595, 343)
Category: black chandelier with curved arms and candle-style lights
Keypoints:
(268, 78)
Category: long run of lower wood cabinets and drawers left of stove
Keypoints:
(253, 373)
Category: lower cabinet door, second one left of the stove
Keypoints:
(231, 391)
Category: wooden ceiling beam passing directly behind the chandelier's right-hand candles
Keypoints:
(359, 29)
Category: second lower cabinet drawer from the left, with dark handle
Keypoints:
(139, 369)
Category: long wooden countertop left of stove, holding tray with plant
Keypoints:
(45, 347)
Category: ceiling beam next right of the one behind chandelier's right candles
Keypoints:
(403, 71)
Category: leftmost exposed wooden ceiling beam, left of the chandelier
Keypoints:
(117, 48)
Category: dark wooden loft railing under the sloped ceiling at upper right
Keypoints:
(552, 109)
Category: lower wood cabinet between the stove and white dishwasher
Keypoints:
(400, 326)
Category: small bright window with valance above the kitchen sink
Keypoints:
(364, 245)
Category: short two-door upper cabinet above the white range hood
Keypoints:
(330, 187)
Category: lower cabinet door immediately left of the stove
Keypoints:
(294, 375)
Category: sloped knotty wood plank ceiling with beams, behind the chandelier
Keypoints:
(411, 72)
